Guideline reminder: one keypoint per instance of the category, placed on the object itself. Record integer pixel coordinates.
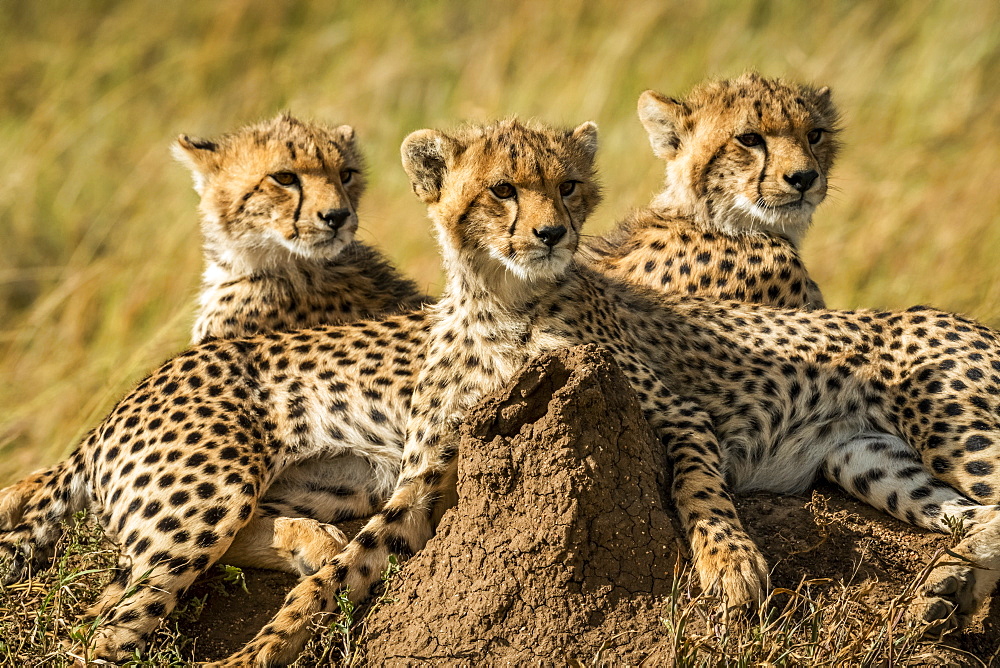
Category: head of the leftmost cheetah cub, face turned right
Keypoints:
(279, 189)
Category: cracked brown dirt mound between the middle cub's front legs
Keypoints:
(560, 545)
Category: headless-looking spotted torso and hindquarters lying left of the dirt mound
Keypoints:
(237, 450)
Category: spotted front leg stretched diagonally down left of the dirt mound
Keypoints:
(402, 527)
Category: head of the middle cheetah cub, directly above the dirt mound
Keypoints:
(507, 198)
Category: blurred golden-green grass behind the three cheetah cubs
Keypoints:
(100, 251)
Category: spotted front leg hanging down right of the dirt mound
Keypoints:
(726, 558)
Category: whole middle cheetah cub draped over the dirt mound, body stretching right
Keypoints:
(900, 408)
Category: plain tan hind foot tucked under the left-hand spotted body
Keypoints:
(298, 545)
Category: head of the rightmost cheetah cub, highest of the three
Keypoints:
(744, 155)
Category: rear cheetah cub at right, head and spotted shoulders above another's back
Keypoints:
(747, 162)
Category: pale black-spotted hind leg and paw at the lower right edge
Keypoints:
(885, 472)
